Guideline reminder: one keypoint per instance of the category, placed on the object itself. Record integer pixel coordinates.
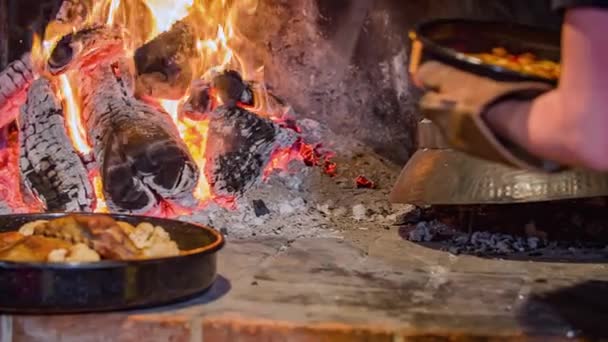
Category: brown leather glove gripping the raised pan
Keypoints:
(459, 103)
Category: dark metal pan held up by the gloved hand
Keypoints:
(450, 40)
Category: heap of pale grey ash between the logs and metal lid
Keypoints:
(305, 202)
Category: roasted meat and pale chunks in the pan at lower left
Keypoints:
(85, 238)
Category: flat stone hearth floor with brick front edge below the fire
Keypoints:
(373, 287)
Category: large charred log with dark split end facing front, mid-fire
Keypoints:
(138, 148)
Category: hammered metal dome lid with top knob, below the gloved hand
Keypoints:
(436, 175)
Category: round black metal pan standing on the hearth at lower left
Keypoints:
(45, 288)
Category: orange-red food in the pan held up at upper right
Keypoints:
(525, 63)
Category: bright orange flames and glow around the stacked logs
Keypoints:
(220, 47)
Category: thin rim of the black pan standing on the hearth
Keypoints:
(211, 248)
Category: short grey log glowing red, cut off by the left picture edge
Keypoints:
(14, 83)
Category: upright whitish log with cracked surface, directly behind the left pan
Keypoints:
(50, 167)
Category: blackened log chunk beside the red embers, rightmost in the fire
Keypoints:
(239, 147)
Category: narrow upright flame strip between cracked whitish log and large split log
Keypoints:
(74, 124)
